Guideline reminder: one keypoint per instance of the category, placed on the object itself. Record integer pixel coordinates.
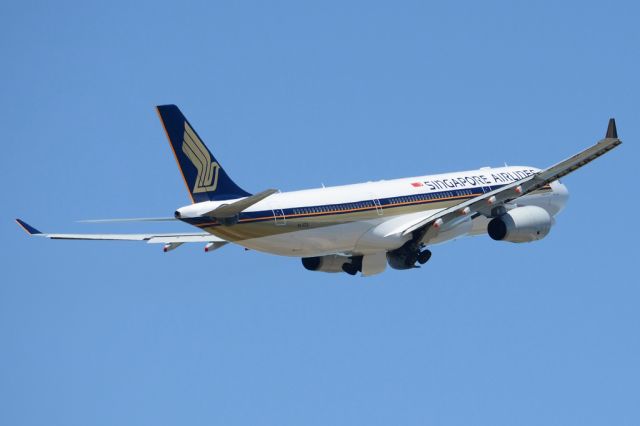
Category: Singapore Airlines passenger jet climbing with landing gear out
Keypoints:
(361, 227)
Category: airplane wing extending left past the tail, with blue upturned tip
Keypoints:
(170, 241)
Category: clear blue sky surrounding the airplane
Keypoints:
(291, 95)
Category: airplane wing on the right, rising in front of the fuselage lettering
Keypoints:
(486, 203)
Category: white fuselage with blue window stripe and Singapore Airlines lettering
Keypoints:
(367, 217)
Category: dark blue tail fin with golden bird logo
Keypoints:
(205, 178)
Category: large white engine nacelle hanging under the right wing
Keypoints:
(521, 225)
